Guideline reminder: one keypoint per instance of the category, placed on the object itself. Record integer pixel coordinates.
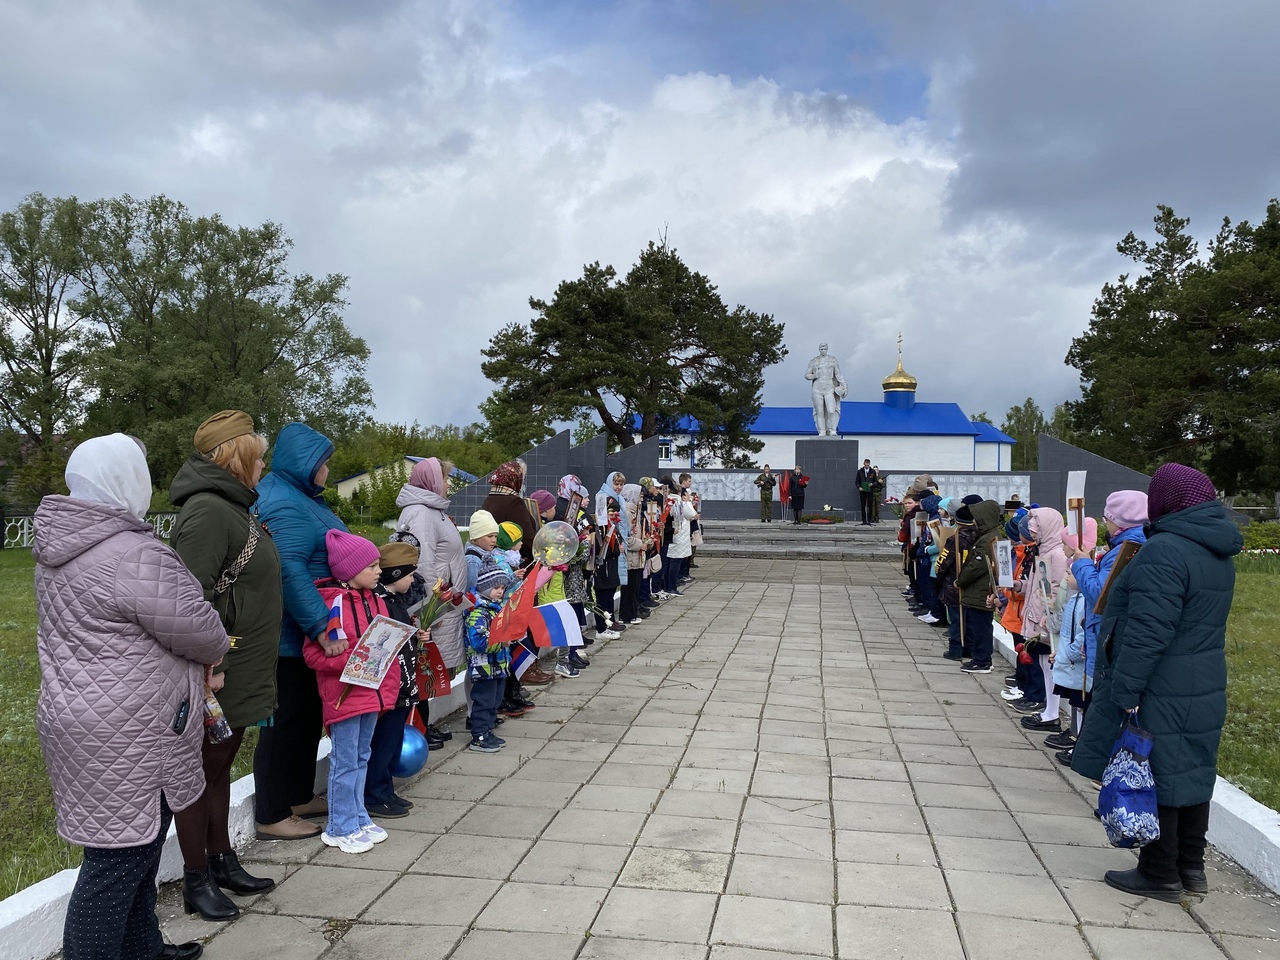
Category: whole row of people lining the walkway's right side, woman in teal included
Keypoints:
(1135, 628)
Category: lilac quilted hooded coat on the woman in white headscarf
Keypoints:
(125, 630)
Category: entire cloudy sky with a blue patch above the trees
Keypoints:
(957, 171)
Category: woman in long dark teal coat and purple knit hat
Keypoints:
(1162, 648)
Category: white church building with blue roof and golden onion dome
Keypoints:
(897, 433)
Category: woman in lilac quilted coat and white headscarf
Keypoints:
(126, 643)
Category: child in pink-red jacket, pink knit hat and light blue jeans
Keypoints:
(350, 711)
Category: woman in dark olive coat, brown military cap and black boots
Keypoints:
(214, 492)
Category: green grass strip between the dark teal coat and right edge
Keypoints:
(1250, 757)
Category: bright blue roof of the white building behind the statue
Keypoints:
(867, 419)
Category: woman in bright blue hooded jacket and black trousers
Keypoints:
(291, 508)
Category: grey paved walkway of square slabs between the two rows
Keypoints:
(780, 765)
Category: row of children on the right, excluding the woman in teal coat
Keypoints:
(1052, 610)
